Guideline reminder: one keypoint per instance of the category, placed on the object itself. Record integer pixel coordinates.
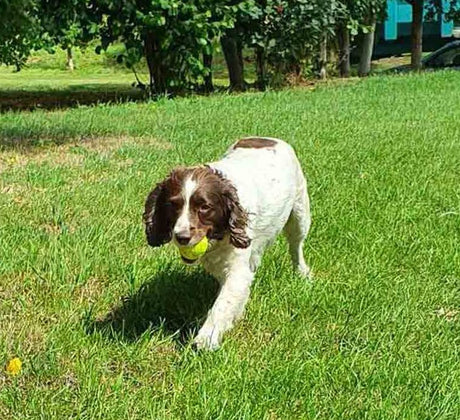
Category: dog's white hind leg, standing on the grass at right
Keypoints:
(297, 227)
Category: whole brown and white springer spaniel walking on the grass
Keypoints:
(240, 203)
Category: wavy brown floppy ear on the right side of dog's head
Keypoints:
(238, 220)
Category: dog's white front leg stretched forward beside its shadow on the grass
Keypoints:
(228, 307)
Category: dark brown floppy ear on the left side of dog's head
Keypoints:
(158, 221)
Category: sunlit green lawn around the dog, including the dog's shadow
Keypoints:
(102, 323)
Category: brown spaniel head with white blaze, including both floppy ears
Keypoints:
(192, 203)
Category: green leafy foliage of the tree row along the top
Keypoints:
(173, 34)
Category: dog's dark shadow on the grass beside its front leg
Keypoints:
(174, 302)
